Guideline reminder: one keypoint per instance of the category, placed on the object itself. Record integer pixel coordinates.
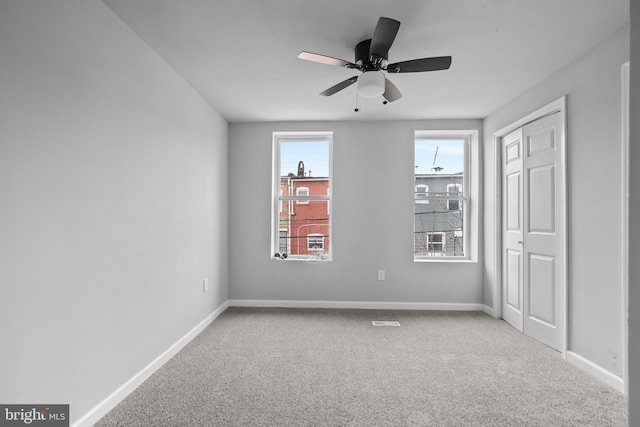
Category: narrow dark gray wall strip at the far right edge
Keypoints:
(634, 222)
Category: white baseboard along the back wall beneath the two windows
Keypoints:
(357, 305)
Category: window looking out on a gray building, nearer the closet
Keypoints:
(441, 195)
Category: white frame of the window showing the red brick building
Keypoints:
(277, 197)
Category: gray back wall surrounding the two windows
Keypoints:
(372, 220)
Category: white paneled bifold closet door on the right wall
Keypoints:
(533, 230)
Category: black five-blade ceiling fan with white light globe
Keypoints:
(371, 58)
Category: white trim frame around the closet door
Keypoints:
(557, 106)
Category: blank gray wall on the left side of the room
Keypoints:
(113, 189)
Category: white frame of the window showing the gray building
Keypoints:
(470, 187)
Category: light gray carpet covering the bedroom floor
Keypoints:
(315, 367)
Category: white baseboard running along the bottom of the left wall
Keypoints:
(102, 408)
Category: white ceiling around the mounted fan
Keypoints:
(241, 55)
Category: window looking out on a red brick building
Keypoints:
(301, 218)
